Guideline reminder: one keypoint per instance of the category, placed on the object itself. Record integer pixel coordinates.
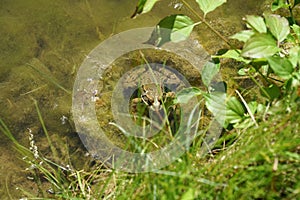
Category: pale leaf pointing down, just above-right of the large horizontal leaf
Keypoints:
(278, 26)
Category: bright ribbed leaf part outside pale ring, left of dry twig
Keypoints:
(235, 110)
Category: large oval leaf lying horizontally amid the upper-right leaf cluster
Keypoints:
(260, 46)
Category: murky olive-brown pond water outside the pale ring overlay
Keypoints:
(43, 44)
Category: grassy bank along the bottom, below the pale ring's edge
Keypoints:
(259, 163)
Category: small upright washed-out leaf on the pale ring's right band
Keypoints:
(209, 71)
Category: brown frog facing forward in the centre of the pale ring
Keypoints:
(155, 91)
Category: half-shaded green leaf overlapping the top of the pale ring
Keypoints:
(173, 28)
